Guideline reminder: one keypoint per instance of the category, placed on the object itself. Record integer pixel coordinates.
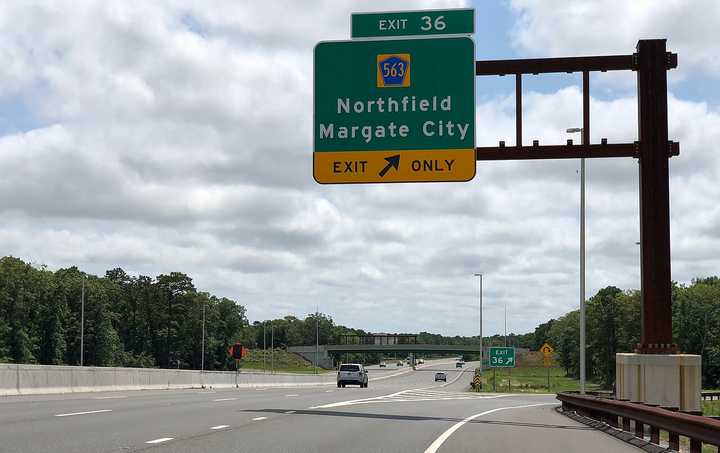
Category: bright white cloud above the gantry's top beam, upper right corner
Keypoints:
(589, 27)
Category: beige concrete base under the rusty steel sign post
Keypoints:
(666, 380)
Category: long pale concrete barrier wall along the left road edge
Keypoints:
(41, 379)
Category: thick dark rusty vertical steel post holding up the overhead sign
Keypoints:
(655, 278)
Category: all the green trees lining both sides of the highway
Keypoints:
(157, 322)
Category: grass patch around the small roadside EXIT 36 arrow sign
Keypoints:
(531, 379)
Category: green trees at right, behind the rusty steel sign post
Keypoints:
(613, 325)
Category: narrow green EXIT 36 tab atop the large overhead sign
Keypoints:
(413, 23)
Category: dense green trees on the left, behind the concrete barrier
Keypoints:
(132, 321)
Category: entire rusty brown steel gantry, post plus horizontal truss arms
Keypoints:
(653, 150)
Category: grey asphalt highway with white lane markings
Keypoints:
(404, 413)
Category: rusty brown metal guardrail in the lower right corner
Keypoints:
(622, 414)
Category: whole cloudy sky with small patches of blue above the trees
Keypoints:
(177, 136)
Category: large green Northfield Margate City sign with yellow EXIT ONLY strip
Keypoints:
(400, 110)
